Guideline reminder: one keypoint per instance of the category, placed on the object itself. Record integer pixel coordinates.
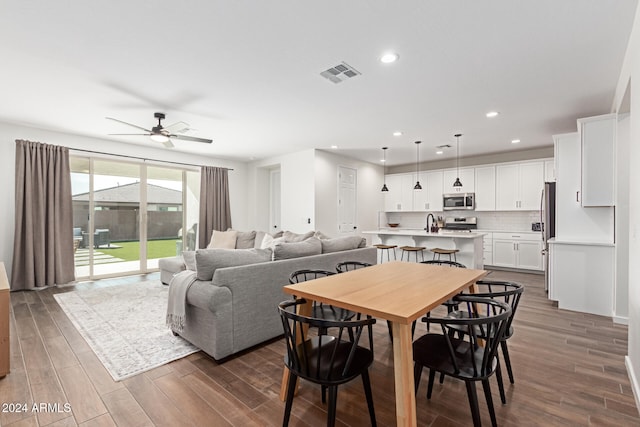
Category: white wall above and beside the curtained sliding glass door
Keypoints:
(9, 133)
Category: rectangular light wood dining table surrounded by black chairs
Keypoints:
(399, 292)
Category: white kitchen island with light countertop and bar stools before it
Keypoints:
(468, 243)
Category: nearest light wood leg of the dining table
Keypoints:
(403, 370)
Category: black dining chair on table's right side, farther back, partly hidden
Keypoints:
(509, 293)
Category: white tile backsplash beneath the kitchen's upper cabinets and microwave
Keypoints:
(500, 220)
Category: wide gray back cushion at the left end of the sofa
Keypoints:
(208, 260)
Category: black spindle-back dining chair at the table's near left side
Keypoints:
(328, 360)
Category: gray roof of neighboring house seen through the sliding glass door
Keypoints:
(130, 193)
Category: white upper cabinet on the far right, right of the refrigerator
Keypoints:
(597, 138)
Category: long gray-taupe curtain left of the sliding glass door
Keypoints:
(43, 244)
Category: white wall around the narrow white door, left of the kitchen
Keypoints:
(370, 200)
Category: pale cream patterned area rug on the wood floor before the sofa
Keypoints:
(125, 326)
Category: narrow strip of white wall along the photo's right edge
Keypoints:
(630, 75)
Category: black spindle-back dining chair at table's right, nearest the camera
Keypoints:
(470, 356)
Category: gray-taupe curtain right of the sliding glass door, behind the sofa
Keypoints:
(215, 211)
